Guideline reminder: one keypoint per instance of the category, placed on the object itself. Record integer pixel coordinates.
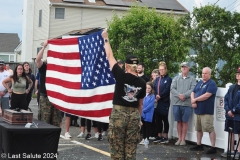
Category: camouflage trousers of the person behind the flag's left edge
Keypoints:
(48, 113)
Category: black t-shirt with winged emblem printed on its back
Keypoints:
(128, 88)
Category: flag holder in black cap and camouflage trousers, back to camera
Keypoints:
(124, 122)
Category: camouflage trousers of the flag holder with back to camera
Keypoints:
(124, 132)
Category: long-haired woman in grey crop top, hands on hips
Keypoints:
(19, 82)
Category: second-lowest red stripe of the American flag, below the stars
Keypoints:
(81, 100)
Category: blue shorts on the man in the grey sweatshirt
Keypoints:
(182, 113)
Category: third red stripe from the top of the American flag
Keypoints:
(64, 69)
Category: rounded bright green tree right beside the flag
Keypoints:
(152, 36)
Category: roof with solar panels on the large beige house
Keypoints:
(173, 5)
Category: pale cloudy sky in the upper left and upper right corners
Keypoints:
(11, 12)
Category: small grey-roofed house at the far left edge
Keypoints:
(8, 42)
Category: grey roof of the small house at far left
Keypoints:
(8, 42)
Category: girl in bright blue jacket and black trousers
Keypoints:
(147, 112)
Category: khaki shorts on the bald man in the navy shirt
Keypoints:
(204, 123)
